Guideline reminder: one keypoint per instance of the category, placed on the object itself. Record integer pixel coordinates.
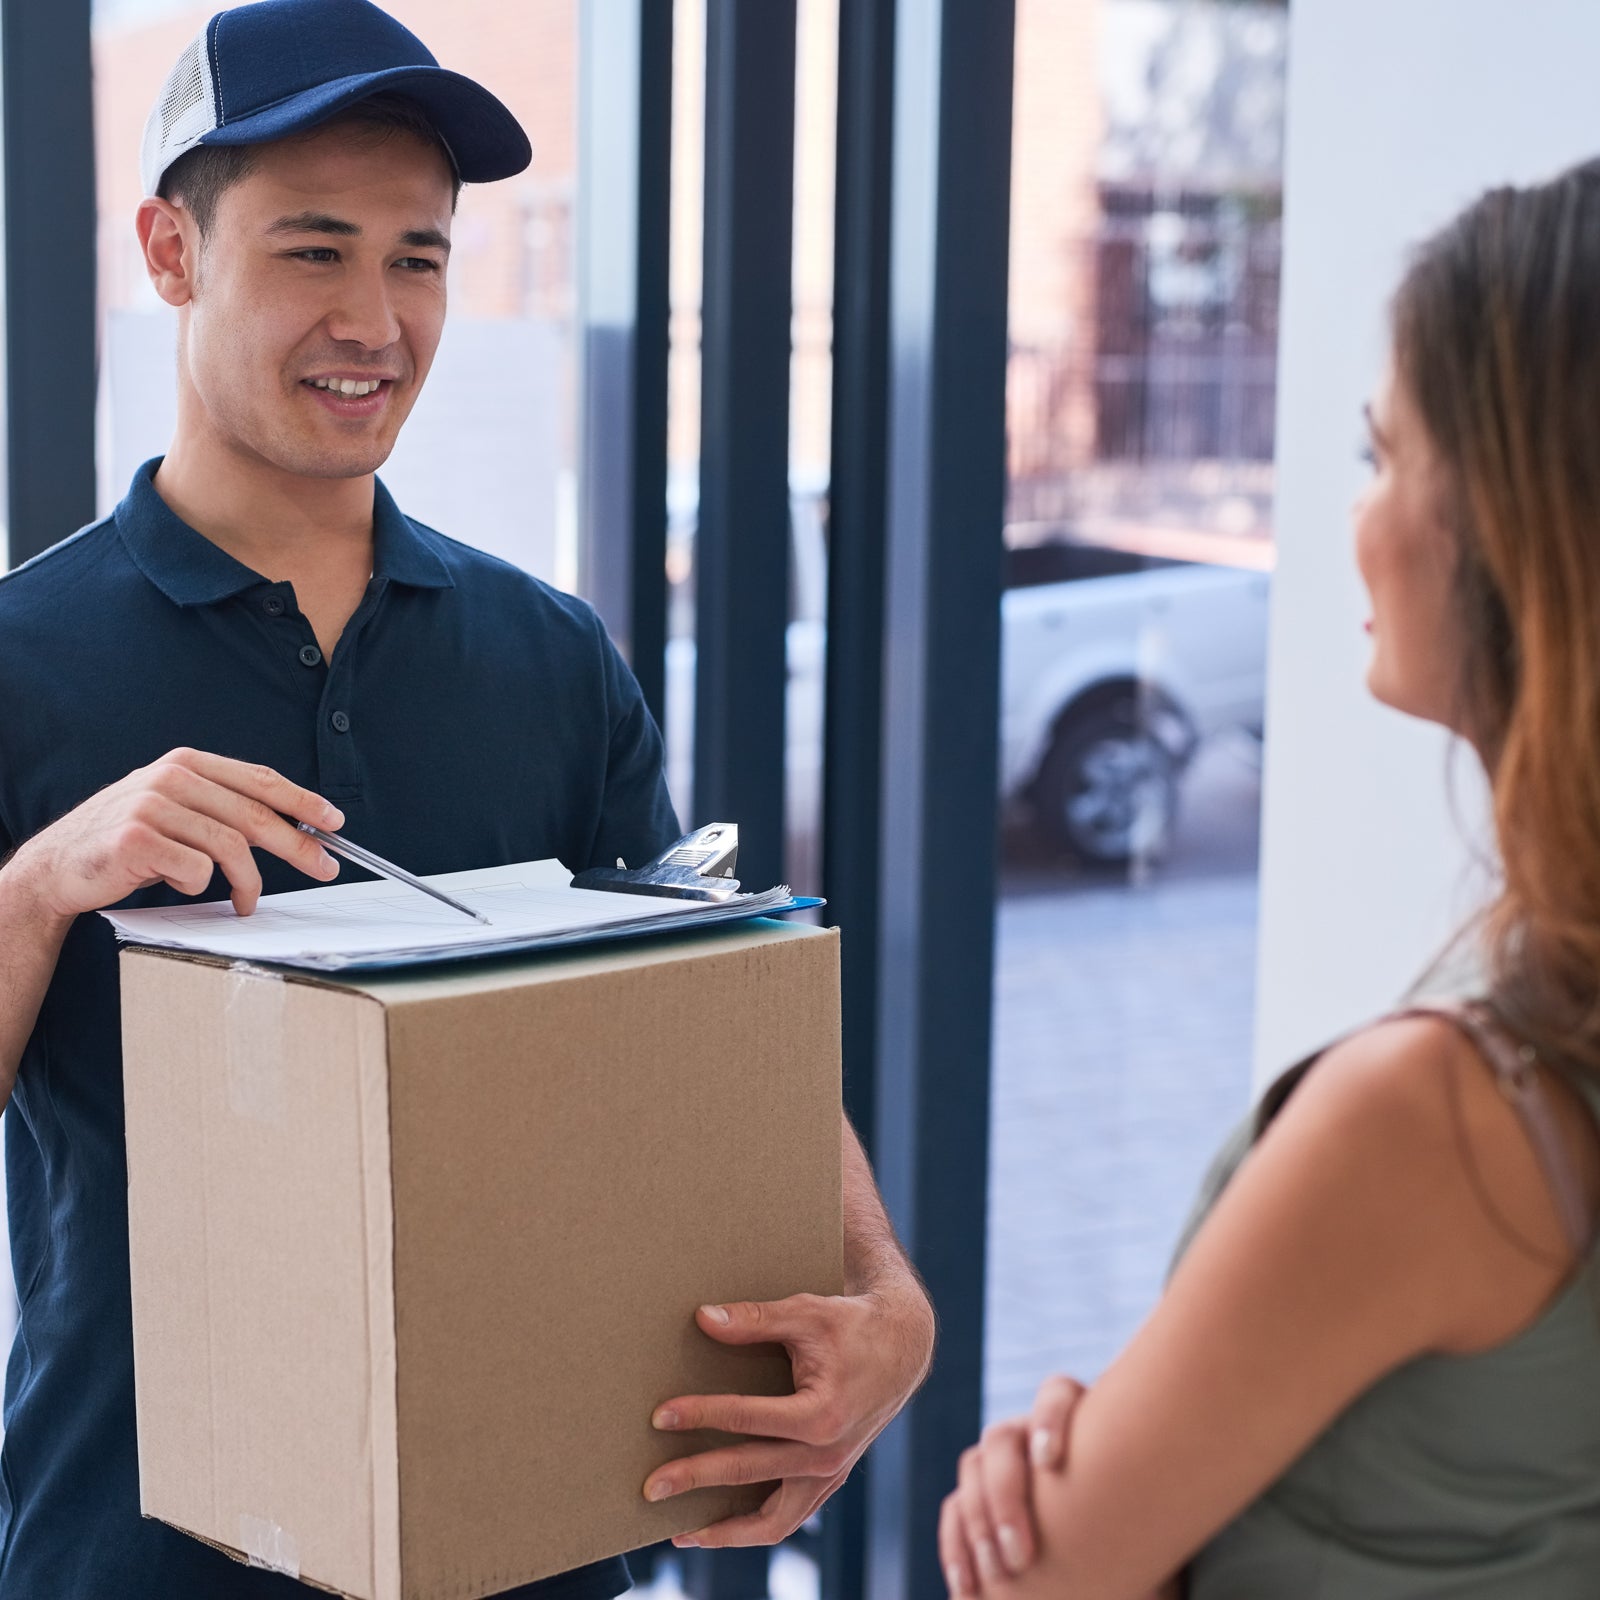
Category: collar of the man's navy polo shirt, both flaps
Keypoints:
(191, 570)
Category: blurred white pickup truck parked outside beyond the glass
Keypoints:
(1114, 670)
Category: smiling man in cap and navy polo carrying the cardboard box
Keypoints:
(255, 638)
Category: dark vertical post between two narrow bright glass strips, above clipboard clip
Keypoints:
(743, 542)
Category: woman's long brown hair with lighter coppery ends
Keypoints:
(1498, 342)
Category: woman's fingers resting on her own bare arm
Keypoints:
(988, 1530)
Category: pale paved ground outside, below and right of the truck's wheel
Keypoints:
(1124, 1026)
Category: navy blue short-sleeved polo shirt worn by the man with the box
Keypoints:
(470, 718)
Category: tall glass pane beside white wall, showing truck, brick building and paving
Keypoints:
(1142, 386)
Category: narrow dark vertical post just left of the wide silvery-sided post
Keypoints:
(854, 722)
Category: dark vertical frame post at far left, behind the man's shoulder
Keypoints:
(50, 233)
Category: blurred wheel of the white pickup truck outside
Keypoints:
(1108, 788)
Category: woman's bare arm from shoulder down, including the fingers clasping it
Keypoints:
(1393, 1209)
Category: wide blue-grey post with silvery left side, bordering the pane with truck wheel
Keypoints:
(951, 247)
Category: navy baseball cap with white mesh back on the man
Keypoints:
(265, 71)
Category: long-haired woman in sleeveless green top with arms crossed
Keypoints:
(1377, 1367)
